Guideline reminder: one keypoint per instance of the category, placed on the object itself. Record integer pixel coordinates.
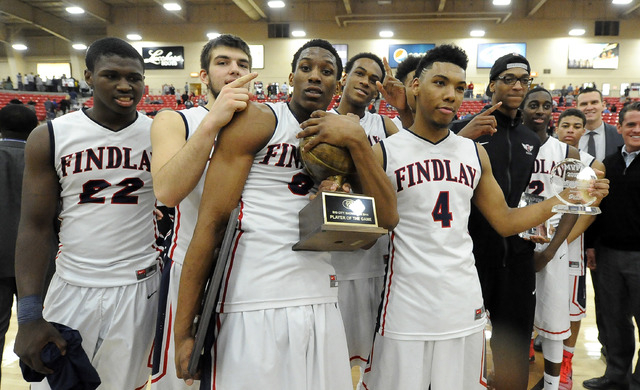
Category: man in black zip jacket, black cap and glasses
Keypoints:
(505, 265)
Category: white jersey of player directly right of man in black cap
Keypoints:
(550, 154)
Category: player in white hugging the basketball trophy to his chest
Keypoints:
(279, 325)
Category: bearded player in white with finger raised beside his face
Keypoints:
(182, 142)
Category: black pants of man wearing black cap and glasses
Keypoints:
(509, 296)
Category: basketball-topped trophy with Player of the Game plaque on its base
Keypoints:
(335, 221)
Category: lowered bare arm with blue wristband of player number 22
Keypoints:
(33, 249)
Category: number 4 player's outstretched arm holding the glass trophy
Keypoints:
(508, 221)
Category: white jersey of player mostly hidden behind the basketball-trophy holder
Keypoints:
(364, 264)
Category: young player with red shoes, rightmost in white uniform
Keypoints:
(571, 127)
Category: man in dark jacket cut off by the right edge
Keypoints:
(618, 258)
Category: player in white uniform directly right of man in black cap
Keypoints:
(550, 259)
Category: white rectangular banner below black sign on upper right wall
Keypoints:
(593, 56)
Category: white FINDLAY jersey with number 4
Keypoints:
(432, 290)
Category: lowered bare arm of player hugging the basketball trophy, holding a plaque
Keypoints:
(224, 183)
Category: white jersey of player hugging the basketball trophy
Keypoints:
(263, 271)
